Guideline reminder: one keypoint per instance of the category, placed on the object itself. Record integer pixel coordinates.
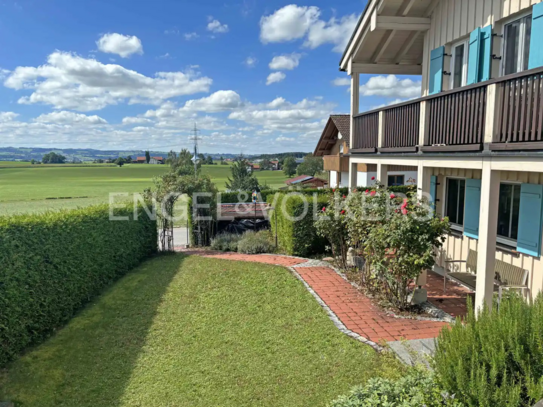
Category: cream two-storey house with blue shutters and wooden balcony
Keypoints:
(475, 137)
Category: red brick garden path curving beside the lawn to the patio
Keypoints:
(354, 309)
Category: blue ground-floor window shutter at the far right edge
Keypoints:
(530, 228)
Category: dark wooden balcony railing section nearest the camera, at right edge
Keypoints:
(519, 107)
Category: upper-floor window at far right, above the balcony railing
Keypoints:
(517, 35)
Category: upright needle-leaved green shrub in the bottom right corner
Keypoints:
(497, 359)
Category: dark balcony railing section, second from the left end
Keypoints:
(401, 126)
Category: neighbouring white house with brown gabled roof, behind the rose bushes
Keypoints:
(333, 147)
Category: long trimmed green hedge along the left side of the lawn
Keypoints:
(52, 264)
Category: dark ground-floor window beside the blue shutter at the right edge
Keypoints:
(508, 212)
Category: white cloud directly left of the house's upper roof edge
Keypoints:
(337, 32)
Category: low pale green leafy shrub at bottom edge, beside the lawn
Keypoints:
(415, 389)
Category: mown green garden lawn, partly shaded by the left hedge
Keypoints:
(189, 331)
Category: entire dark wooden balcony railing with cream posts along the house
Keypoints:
(504, 114)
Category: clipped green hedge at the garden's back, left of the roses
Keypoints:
(297, 237)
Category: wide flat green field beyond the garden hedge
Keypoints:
(25, 188)
